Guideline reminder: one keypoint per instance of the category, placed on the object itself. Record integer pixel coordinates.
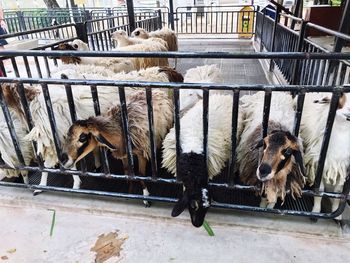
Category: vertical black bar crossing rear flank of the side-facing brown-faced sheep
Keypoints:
(151, 132)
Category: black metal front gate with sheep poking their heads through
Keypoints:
(29, 67)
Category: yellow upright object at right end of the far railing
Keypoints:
(245, 22)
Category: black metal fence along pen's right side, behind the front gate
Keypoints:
(286, 33)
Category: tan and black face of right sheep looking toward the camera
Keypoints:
(276, 160)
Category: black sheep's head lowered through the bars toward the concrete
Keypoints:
(196, 196)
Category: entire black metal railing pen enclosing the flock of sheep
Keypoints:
(305, 66)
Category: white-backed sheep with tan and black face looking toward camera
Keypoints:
(275, 171)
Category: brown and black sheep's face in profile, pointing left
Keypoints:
(83, 137)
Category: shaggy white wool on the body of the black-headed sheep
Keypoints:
(191, 134)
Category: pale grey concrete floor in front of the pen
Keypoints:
(151, 235)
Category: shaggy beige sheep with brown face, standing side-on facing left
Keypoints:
(107, 130)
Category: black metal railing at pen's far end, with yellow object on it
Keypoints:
(215, 20)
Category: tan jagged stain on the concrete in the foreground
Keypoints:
(108, 246)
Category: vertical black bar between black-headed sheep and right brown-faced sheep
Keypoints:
(232, 160)
